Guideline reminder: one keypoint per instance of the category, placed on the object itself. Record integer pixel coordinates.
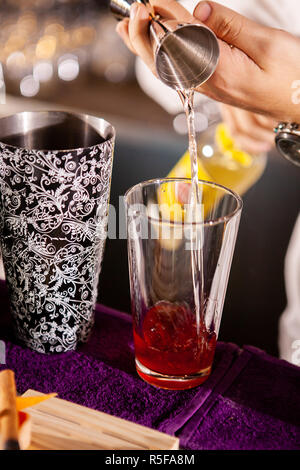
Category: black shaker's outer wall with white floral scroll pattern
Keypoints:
(53, 222)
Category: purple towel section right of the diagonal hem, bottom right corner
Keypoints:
(259, 409)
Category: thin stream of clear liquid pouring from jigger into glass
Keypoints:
(195, 213)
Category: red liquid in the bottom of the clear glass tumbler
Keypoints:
(171, 344)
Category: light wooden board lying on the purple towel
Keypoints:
(61, 425)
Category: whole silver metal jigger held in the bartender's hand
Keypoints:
(186, 55)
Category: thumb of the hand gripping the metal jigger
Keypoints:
(233, 28)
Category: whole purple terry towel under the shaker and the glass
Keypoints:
(249, 402)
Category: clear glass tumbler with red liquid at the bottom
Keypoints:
(179, 264)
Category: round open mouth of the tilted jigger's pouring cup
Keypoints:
(190, 76)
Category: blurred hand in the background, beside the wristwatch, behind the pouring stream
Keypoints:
(252, 133)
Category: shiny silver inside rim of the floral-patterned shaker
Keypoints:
(24, 122)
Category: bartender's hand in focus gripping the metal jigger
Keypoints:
(258, 65)
